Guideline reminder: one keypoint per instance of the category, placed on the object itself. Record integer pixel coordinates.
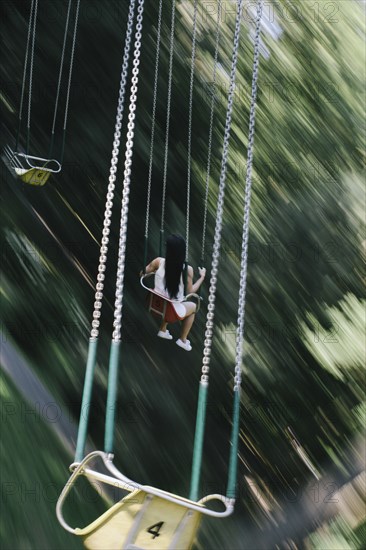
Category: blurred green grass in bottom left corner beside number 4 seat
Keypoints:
(31, 481)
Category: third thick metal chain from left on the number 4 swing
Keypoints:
(220, 205)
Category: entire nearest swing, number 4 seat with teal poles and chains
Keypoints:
(149, 517)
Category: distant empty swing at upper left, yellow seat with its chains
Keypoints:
(29, 168)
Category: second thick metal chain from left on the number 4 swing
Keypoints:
(116, 336)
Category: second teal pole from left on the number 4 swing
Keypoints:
(112, 396)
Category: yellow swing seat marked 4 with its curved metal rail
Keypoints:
(147, 518)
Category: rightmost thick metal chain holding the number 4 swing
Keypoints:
(248, 186)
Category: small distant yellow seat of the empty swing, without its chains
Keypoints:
(30, 169)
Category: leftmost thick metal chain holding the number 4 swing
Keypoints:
(112, 177)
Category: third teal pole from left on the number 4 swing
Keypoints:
(198, 441)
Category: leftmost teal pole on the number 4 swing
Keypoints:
(86, 401)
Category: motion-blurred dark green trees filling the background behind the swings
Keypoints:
(303, 404)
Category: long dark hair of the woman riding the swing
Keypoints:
(174, 263)
